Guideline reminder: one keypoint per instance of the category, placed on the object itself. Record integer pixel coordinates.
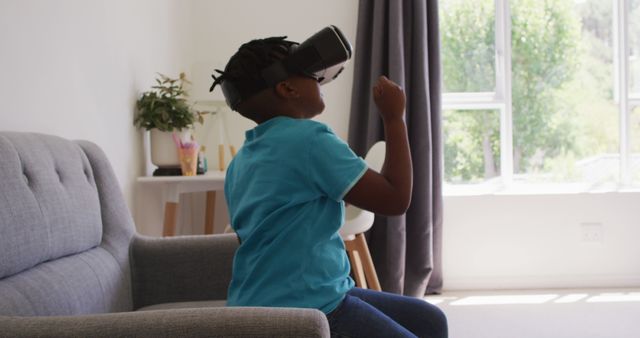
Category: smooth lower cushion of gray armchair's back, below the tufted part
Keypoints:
(70, 285)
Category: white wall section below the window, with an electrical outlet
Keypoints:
(537, 241)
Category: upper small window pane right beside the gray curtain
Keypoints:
(467, 31)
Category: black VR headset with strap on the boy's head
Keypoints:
(322, 57)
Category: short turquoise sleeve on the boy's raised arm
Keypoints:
(333, 167)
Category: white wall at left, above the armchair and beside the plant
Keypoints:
(74, 68)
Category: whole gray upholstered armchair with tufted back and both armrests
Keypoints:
(72, 265)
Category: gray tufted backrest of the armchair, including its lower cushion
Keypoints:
(64, 229)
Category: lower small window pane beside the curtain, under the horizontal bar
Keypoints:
(471, 145)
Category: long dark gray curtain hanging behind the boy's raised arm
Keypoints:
(399, 39)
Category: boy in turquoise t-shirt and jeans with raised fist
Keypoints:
(285, 190)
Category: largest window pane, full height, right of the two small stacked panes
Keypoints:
(564, 118)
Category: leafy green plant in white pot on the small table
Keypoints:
(163, 111)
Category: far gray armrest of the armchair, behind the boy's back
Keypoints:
(180, 269)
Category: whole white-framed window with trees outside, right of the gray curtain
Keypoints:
(540, 94)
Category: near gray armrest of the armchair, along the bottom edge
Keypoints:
(201, 322)
